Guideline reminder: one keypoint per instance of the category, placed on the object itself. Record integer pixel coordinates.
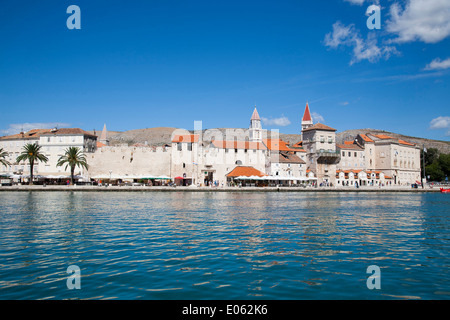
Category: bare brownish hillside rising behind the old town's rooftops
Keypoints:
(162, 135)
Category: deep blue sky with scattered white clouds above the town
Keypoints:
(143, 64)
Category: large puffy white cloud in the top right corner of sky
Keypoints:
(424, 20)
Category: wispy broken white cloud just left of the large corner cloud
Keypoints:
(363, 49)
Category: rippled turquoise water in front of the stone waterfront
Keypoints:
(184, 245)
